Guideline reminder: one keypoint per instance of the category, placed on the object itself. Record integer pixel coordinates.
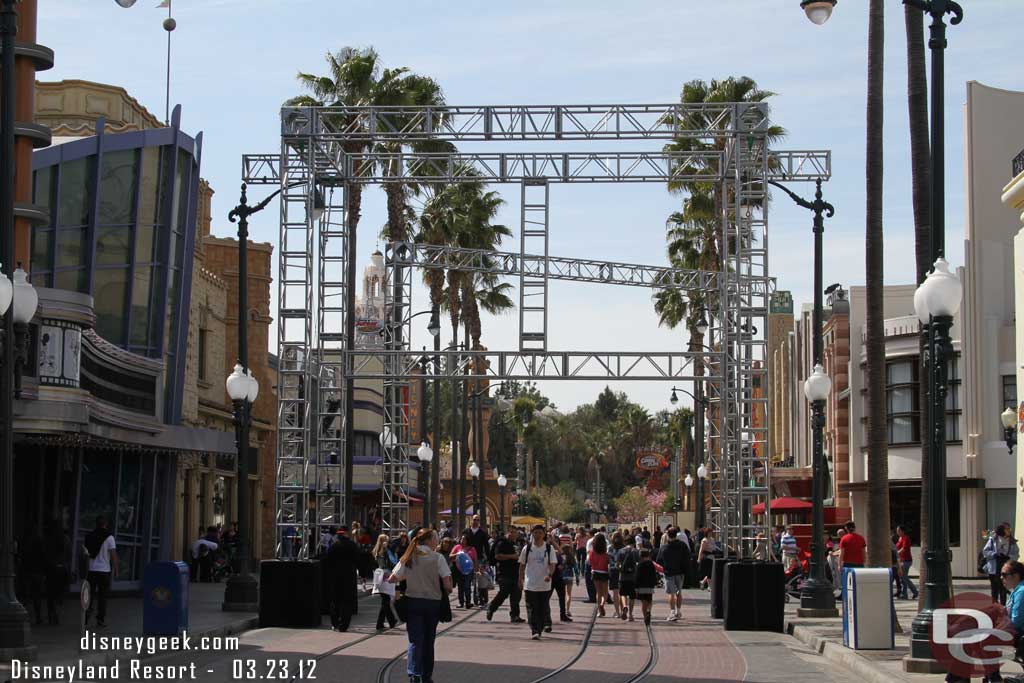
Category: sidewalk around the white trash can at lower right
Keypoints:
(825, 636)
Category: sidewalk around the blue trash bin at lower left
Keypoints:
(60, 645)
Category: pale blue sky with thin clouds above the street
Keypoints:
(234, 63)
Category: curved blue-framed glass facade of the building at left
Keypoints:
(122, 229)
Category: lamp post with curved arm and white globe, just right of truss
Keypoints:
(817, 597)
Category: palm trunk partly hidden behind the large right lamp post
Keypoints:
(917, 91)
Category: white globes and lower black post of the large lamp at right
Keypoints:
(936, 302)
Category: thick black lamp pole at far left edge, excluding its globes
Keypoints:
(16, 634)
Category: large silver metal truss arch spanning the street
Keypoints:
(320, 147)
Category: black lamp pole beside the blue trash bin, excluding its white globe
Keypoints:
(241, 592)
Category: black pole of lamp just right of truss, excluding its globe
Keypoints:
(818, 592)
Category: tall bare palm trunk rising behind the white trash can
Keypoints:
(878, 456)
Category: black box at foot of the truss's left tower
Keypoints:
(290, 594)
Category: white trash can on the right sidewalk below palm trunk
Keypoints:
(869, 614)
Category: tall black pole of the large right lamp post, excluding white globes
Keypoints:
(937, 557)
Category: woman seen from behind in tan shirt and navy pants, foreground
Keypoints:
(429, 580)
